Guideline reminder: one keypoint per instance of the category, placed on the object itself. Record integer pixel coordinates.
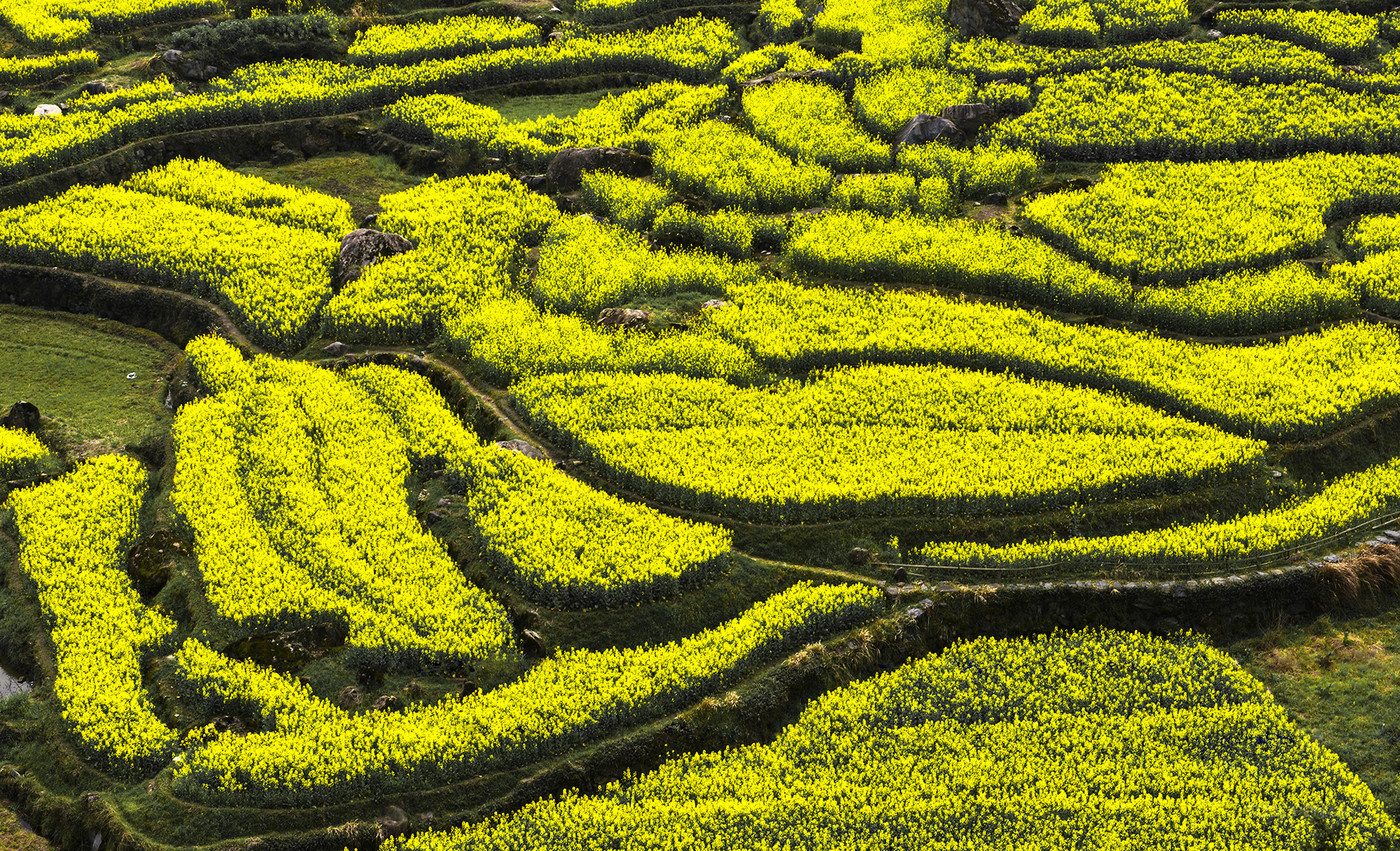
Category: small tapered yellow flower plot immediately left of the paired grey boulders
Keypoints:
(811, 122)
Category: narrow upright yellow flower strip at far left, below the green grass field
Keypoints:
(75, 534)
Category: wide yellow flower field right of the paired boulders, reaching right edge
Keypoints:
(1144, 114)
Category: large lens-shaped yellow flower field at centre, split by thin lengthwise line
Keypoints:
(877, 442)
